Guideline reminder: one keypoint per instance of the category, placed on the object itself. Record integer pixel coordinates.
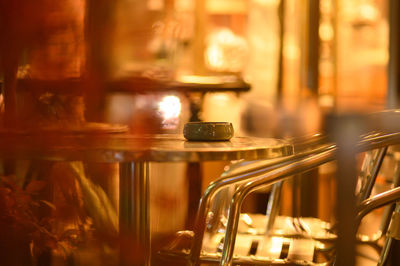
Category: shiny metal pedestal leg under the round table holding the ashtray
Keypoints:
(134, 214)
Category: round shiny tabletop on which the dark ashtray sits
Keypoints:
(127, 147)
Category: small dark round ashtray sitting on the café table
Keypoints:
(208, 131)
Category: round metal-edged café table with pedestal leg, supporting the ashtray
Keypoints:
(133, 153)
